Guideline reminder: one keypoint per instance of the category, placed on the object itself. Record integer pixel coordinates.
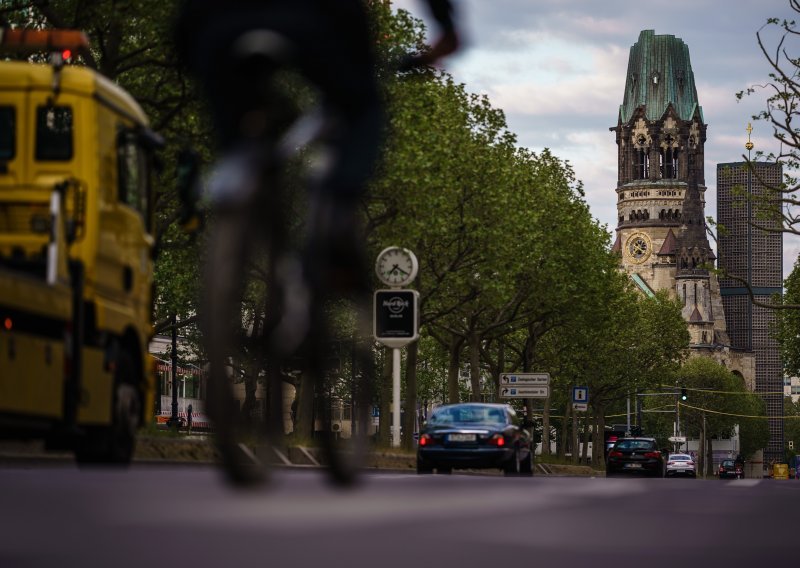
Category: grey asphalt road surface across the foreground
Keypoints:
(59, 516)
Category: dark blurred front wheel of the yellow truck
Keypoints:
(115, 444)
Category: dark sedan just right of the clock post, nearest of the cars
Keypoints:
(474, 436)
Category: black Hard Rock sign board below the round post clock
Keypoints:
(396, 314)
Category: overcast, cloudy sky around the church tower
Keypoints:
(557, 68)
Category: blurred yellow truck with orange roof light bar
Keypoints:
(76, 253)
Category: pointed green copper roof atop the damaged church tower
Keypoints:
(659, 73)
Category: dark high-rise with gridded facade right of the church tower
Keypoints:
(751, 251)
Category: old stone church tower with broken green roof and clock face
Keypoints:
(661, 229)
